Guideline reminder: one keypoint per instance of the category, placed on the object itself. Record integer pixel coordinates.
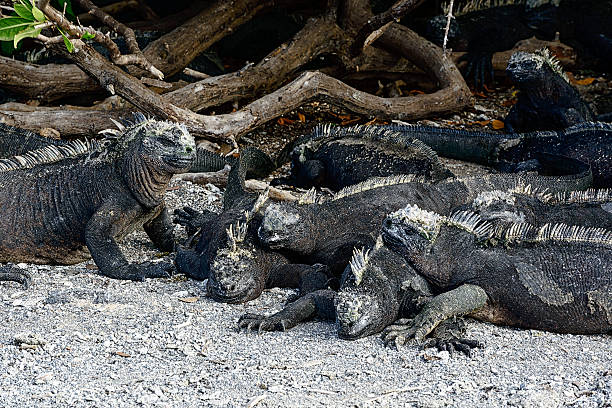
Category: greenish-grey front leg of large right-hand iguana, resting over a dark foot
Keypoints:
(457, 302)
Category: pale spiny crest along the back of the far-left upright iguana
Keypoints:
(47, 154)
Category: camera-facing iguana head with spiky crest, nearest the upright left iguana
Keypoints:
(235, 270)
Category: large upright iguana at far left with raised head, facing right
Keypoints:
(61, 210)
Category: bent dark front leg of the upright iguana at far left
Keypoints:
(106, 223)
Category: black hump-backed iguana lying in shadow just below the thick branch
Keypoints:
(337, 157)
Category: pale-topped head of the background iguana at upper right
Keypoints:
(527, 69)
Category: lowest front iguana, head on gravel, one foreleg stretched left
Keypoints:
(377, 288)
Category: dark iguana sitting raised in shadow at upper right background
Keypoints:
(546, 99)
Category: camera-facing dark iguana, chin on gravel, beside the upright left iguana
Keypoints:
(225, 251)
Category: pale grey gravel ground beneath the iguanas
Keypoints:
(79, 339)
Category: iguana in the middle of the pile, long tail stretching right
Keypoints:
(329, 230)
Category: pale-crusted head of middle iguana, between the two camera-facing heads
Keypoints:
(287, 226)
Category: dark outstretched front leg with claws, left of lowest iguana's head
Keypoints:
(319, 303)
